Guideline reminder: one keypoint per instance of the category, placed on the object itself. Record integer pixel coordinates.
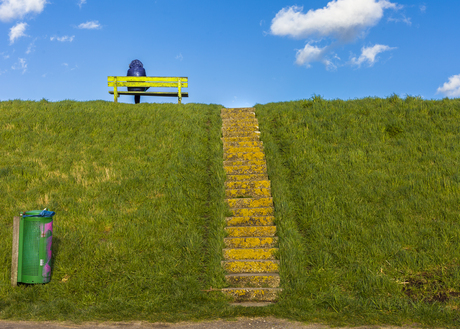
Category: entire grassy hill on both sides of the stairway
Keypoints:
(366, 197)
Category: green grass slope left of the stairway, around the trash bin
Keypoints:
(139, 201)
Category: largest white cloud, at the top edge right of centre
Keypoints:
(341, 19)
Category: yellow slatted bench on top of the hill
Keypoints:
(151, 82)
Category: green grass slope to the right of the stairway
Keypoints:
(367, 205)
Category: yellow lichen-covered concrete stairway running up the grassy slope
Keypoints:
(251, 242)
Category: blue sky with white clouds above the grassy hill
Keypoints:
(235, 53)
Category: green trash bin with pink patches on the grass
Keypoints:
(35, 239)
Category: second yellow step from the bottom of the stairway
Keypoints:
(253, 280)
